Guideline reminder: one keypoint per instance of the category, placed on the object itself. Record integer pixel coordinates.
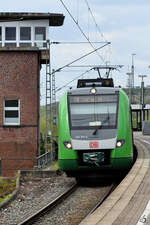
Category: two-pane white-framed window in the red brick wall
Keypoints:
(12, 112)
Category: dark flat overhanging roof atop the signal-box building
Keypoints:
(54, 19)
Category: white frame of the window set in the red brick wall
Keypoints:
(11, 109)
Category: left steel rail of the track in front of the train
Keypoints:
(32, 218)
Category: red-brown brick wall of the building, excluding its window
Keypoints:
(19, 73)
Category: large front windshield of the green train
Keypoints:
(93, 111)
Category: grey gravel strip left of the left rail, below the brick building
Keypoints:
(33, 194)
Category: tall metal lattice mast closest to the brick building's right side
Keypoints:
(48, 98)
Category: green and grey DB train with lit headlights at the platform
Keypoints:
(95, 130)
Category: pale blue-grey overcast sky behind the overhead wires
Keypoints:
(126, 24)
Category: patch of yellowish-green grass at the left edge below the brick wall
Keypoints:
(7, 186)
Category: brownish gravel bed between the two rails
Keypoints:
(75, 208)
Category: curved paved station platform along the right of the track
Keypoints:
(129, 203)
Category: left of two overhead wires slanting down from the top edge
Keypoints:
(81, 29)
